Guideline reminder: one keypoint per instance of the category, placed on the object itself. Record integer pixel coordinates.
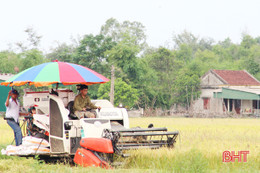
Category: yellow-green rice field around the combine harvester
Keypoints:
(199, 148)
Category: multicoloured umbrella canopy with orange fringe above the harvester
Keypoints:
(54, 73)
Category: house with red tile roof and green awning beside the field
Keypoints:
(228, 92)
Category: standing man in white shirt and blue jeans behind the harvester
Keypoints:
(12, 115)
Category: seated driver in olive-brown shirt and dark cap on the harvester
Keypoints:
(82, 104)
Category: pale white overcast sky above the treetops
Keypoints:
(58, 21)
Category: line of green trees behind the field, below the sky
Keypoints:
(147, 77)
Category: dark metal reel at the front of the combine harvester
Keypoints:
(135, 138)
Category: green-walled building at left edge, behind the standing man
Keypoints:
(4, 90)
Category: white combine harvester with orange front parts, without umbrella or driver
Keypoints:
(88, 138)
